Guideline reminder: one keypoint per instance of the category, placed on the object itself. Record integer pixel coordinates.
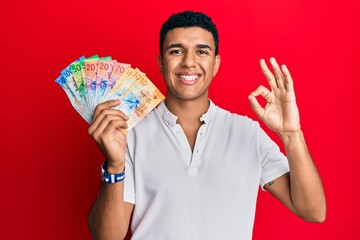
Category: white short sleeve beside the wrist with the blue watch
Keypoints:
(129, 182)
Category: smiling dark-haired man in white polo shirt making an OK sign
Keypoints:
(192, 168)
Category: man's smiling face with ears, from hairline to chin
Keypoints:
(188, 63)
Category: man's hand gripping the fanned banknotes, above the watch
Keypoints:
(105, 130)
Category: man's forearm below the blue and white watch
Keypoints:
(108, 217)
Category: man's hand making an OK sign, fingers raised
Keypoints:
(281, 112)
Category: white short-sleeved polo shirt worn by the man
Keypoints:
(206, 194)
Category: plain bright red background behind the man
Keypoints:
(50, 166)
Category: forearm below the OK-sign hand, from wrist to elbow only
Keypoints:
(306, 190)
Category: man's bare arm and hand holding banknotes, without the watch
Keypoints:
(110, 216)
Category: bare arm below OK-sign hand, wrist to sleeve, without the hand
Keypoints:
(301, 190)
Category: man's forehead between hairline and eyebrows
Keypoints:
(189, 36)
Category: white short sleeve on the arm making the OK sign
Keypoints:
(273, 162)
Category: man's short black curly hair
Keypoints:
(189, 19)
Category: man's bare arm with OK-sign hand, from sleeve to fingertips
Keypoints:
(300, 190)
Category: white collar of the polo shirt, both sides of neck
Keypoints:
(171, 119)
